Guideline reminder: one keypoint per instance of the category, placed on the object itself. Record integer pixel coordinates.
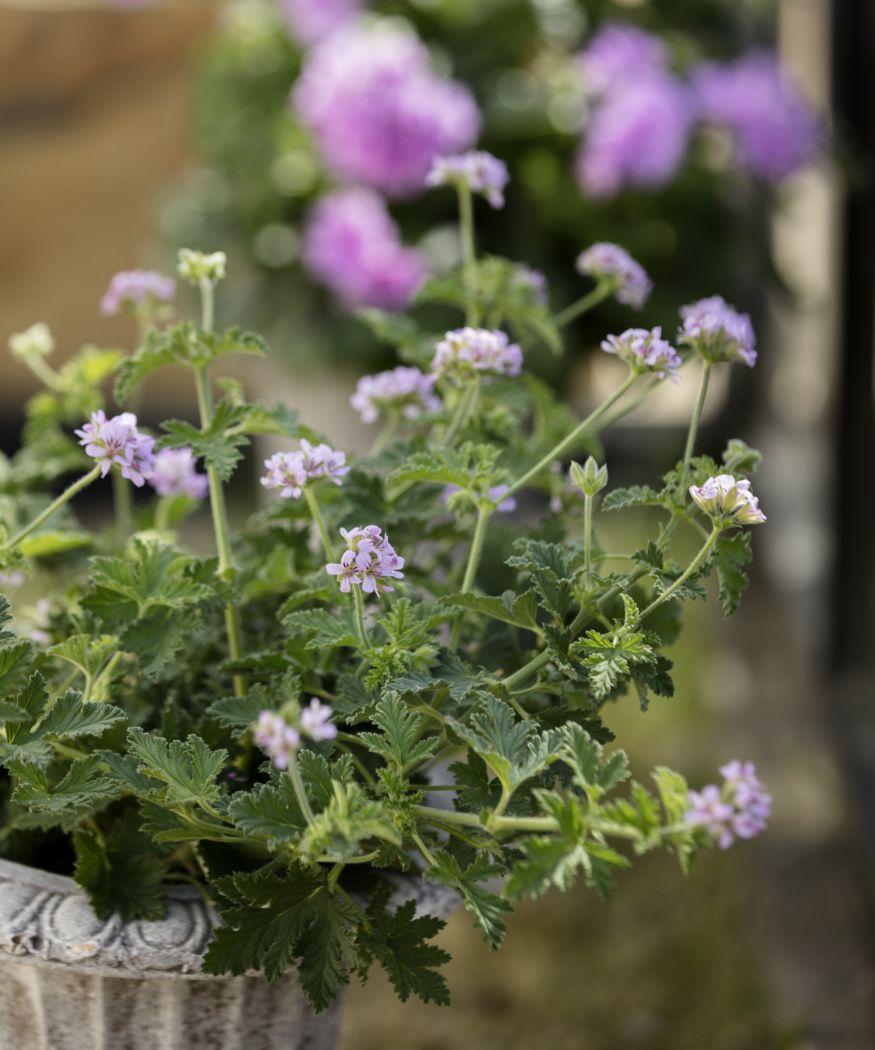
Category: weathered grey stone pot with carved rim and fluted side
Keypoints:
(70, 981)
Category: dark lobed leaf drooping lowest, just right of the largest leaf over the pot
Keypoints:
(400, 941)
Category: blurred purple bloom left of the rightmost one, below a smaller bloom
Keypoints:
(637, 136)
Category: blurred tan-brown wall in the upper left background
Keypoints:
(95, 118)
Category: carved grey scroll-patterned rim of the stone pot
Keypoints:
(48, 921)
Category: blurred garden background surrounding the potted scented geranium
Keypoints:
(738, 158)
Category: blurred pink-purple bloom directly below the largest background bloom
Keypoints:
(352, 246)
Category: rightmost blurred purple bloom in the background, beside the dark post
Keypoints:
(774, 129)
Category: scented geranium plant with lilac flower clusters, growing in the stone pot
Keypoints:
(397, 669)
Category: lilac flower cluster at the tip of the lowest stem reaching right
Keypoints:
(741, 809)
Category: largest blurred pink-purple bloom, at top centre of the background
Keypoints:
(379, 113)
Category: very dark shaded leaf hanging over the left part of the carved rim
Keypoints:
(121, 874)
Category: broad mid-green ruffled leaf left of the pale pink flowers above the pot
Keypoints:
(187, 769)
